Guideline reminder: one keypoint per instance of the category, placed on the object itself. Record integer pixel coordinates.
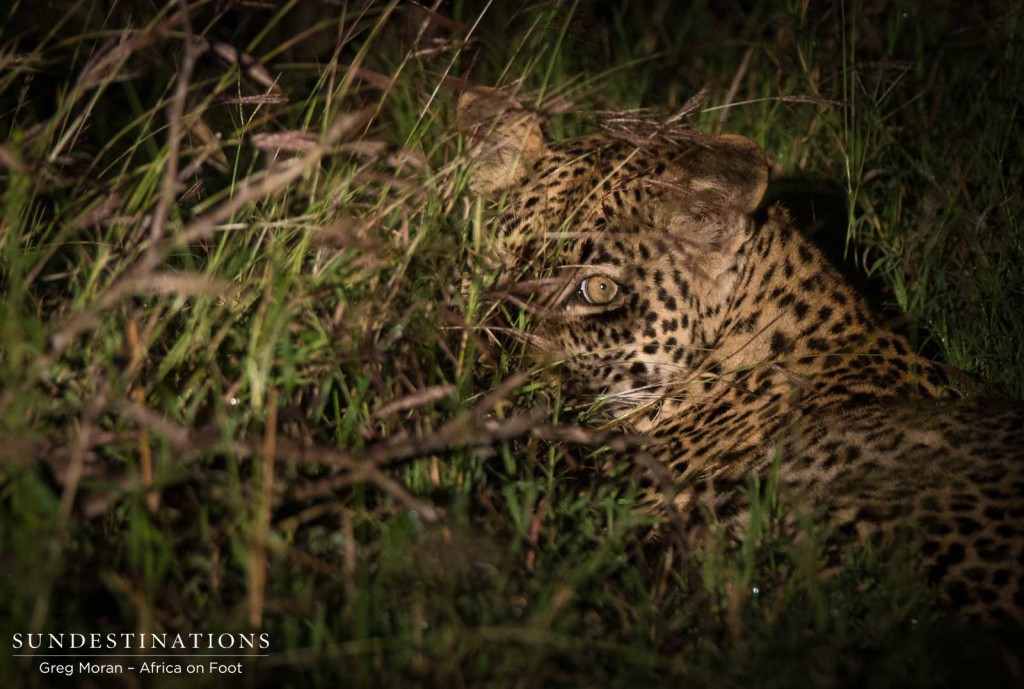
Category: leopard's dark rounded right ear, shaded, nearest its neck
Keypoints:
(727, 174)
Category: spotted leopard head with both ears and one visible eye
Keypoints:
(626, 245)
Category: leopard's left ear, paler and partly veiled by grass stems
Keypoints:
(505, 138)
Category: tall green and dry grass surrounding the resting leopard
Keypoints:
(318, 299)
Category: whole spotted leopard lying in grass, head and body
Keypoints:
(662, 285)
